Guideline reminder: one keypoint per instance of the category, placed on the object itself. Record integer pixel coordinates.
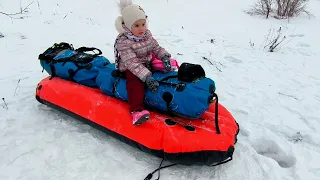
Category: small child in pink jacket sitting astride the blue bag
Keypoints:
(134, 47)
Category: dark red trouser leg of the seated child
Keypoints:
(135, 89)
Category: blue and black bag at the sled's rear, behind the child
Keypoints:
(77, 65)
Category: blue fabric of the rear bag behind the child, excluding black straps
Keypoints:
(87, 73)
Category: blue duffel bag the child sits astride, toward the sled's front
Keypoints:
(181, 98)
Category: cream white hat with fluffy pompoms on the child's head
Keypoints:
(130, 14)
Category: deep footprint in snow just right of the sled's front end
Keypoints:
(271, 149)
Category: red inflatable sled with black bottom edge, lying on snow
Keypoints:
(181, 141)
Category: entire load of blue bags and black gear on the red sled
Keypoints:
(185, 93)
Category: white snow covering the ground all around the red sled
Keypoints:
(273, 96)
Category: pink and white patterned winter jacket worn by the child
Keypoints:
(136, 56)
